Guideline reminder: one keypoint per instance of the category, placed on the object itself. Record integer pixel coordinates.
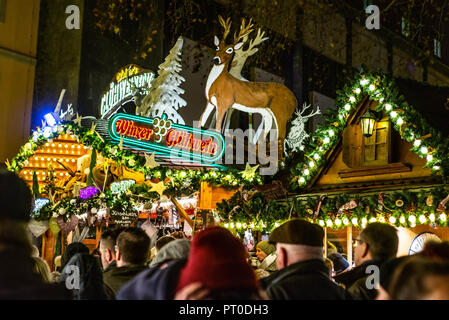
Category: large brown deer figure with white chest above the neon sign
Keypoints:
(274, 101)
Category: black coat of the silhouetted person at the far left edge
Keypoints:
(18, 282)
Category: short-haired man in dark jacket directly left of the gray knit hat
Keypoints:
(132, 250)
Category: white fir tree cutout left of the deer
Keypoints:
(164, 96)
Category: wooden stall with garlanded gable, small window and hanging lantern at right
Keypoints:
(382, 157)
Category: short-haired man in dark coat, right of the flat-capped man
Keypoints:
(376, 244)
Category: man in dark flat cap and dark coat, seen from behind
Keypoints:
(302, 274)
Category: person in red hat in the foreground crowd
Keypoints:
(217, 269)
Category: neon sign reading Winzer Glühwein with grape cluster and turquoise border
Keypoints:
(166, 138)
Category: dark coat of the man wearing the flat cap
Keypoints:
(306, 280)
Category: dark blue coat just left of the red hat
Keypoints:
(154, 283)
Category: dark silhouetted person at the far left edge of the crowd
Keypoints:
(17, 279)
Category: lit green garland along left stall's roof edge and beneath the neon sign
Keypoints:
(179, 182)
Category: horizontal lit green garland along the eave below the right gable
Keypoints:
(403, 208)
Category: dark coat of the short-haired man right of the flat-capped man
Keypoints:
(355, 281)
